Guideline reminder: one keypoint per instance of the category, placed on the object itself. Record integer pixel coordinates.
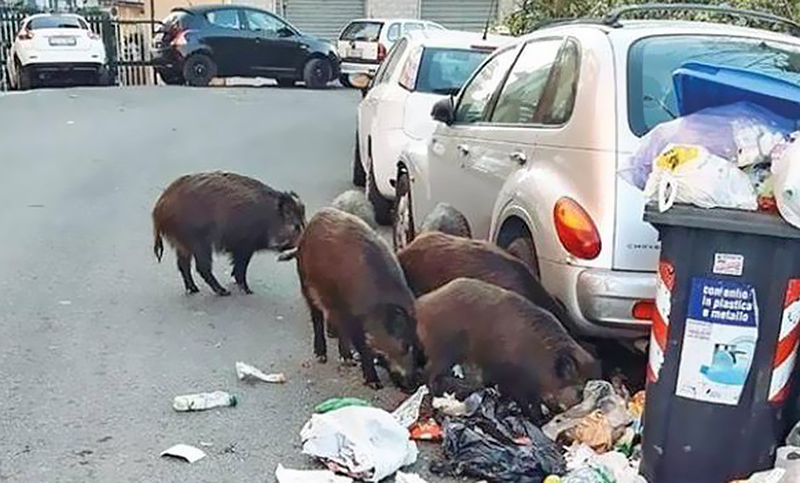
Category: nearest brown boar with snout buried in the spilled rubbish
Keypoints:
(511, 342)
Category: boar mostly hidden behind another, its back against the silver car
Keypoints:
(435, 258)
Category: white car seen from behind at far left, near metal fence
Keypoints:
(56, 46)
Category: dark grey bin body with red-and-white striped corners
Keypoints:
(723, 344)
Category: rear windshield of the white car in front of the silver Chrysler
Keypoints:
(444, 71)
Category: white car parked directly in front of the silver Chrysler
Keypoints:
(422, 68)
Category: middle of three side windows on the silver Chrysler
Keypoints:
(519, 98)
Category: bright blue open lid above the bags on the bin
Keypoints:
(699, 85)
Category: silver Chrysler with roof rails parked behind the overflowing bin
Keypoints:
(529, 152)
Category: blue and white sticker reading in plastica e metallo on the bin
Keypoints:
(719, 341)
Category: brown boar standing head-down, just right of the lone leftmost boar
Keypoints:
(352, 281)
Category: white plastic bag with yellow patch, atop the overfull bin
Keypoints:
(692, 175)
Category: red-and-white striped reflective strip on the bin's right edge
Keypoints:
(786, 348)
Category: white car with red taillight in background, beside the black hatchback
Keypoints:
(365, 42)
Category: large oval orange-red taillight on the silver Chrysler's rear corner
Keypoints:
(576, 230)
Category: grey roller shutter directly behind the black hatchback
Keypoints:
(322, 18)
